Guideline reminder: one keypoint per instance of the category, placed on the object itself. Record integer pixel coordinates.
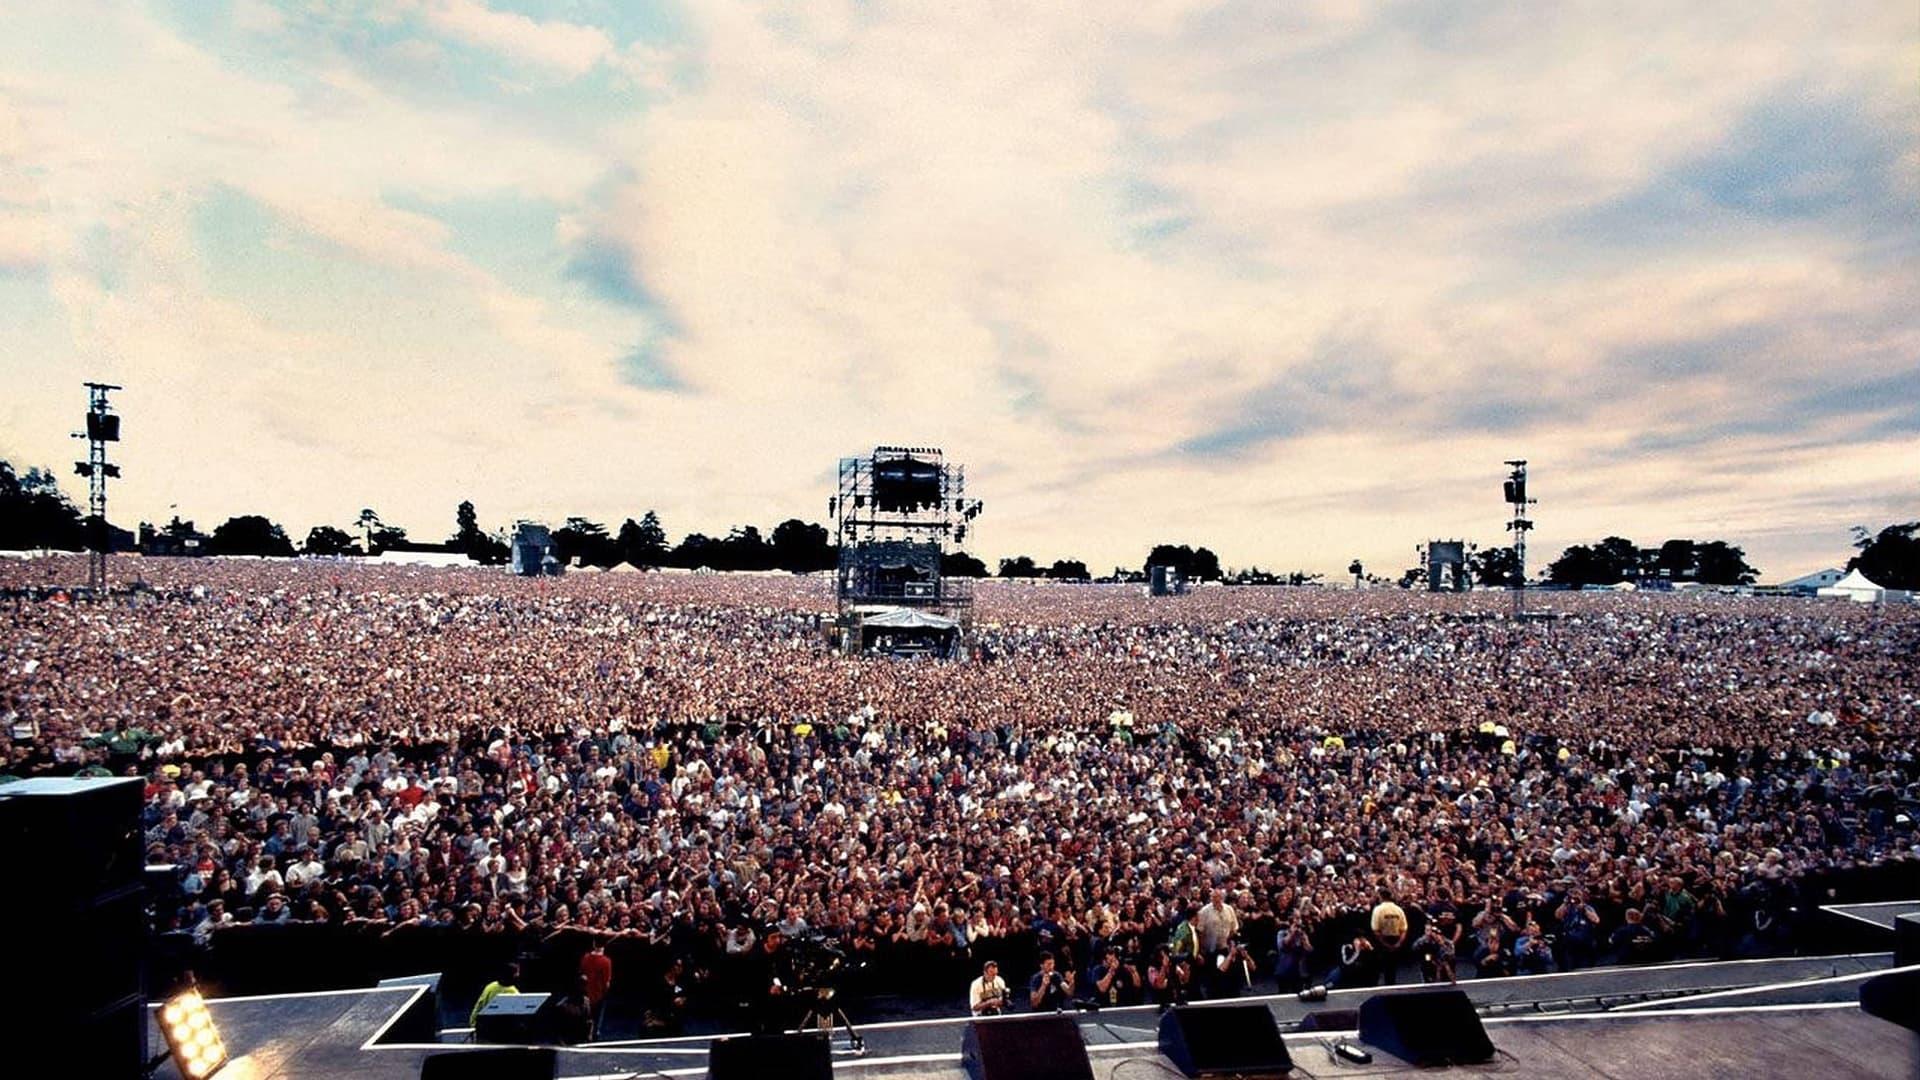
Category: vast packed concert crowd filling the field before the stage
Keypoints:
(1166, 798)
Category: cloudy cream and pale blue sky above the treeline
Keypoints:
(1284, 280)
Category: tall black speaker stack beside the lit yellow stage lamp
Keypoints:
(82, 920)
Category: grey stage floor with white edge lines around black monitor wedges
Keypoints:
(1788, 1018)
